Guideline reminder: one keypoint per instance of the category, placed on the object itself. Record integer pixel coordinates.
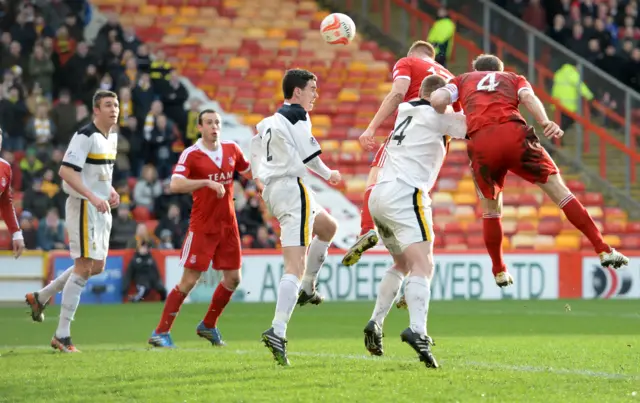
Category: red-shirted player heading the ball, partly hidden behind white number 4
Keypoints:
(408, 74)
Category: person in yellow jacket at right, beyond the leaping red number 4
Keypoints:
(565, 90)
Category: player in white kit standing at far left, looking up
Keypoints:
(87, 170)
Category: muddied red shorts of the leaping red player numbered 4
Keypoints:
(512, 146)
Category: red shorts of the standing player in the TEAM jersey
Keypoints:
(199, 249)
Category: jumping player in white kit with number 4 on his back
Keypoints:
(400, 206)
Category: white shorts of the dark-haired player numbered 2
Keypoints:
(293, 205)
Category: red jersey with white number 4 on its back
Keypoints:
(488, 97)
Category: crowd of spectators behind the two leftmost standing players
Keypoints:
(49, 75)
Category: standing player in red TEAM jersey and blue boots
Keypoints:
(206, 170)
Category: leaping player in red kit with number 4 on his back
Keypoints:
(500, 140)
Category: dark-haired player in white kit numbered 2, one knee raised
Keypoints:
(281, 153)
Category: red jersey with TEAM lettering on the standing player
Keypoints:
(210, 214)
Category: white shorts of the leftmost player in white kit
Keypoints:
(88, 229)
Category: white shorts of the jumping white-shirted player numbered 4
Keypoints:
(402, 214)
